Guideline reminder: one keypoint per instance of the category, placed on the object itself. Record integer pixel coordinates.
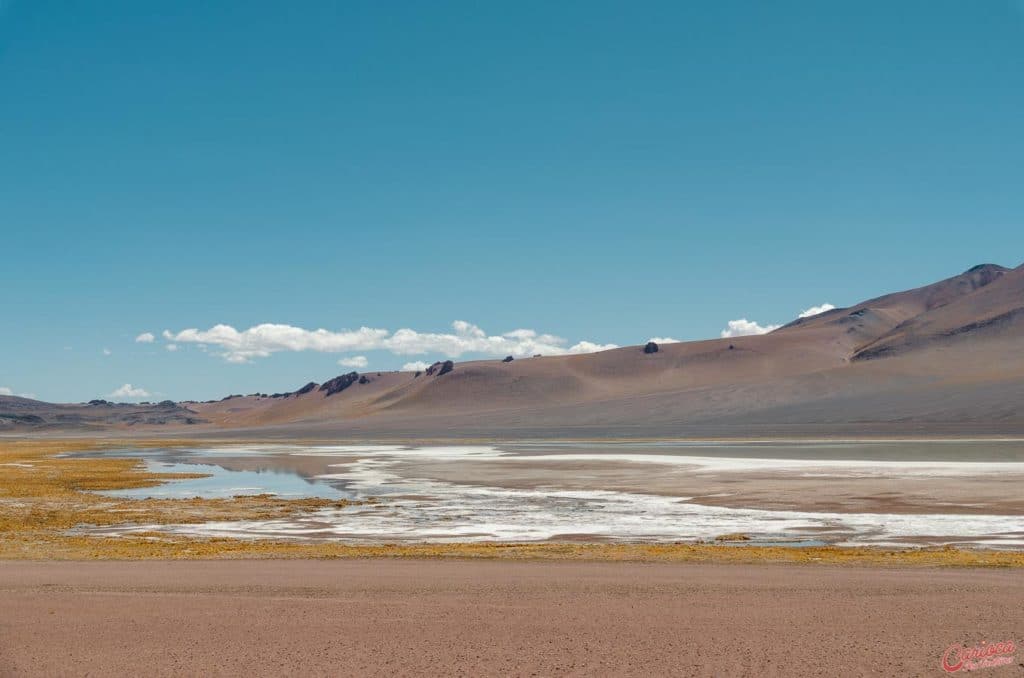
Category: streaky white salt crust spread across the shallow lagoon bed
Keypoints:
(418, 510)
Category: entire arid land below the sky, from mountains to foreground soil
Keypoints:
(279, 584)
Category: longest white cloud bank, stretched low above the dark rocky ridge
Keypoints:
(264, 341)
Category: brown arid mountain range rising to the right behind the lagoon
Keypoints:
(947, 359)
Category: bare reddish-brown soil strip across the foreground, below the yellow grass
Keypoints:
(465, 618)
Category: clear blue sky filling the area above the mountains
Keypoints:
(601, 172)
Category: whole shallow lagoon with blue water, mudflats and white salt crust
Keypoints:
(593, 492)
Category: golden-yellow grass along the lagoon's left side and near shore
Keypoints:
(42, 497)
